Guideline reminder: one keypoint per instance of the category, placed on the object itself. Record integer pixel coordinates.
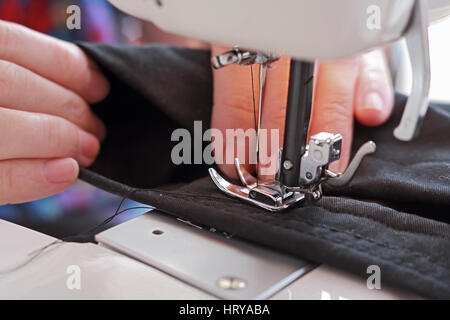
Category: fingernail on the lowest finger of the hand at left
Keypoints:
(61, 170)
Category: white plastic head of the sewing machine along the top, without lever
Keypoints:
(304, 29)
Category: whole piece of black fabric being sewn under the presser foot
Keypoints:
(394, 214)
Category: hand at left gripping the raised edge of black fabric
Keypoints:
(47, 127)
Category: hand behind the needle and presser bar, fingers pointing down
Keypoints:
(358, 87)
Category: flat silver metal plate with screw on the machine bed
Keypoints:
(224, 267)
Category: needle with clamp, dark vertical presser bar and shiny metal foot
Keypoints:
(301, 168)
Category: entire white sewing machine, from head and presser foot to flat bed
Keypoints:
(211, 264)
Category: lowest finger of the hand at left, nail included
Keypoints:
(28, 180)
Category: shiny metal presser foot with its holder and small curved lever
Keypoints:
(323, 149)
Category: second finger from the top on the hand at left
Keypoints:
(44, 96)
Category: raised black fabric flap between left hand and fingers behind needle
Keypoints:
(155, 89)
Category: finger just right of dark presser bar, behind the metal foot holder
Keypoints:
(333, 103)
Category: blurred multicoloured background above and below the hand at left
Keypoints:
(82, 206)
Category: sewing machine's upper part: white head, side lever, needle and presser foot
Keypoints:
(306, 30)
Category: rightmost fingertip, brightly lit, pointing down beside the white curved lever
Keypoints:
(374, 91)
